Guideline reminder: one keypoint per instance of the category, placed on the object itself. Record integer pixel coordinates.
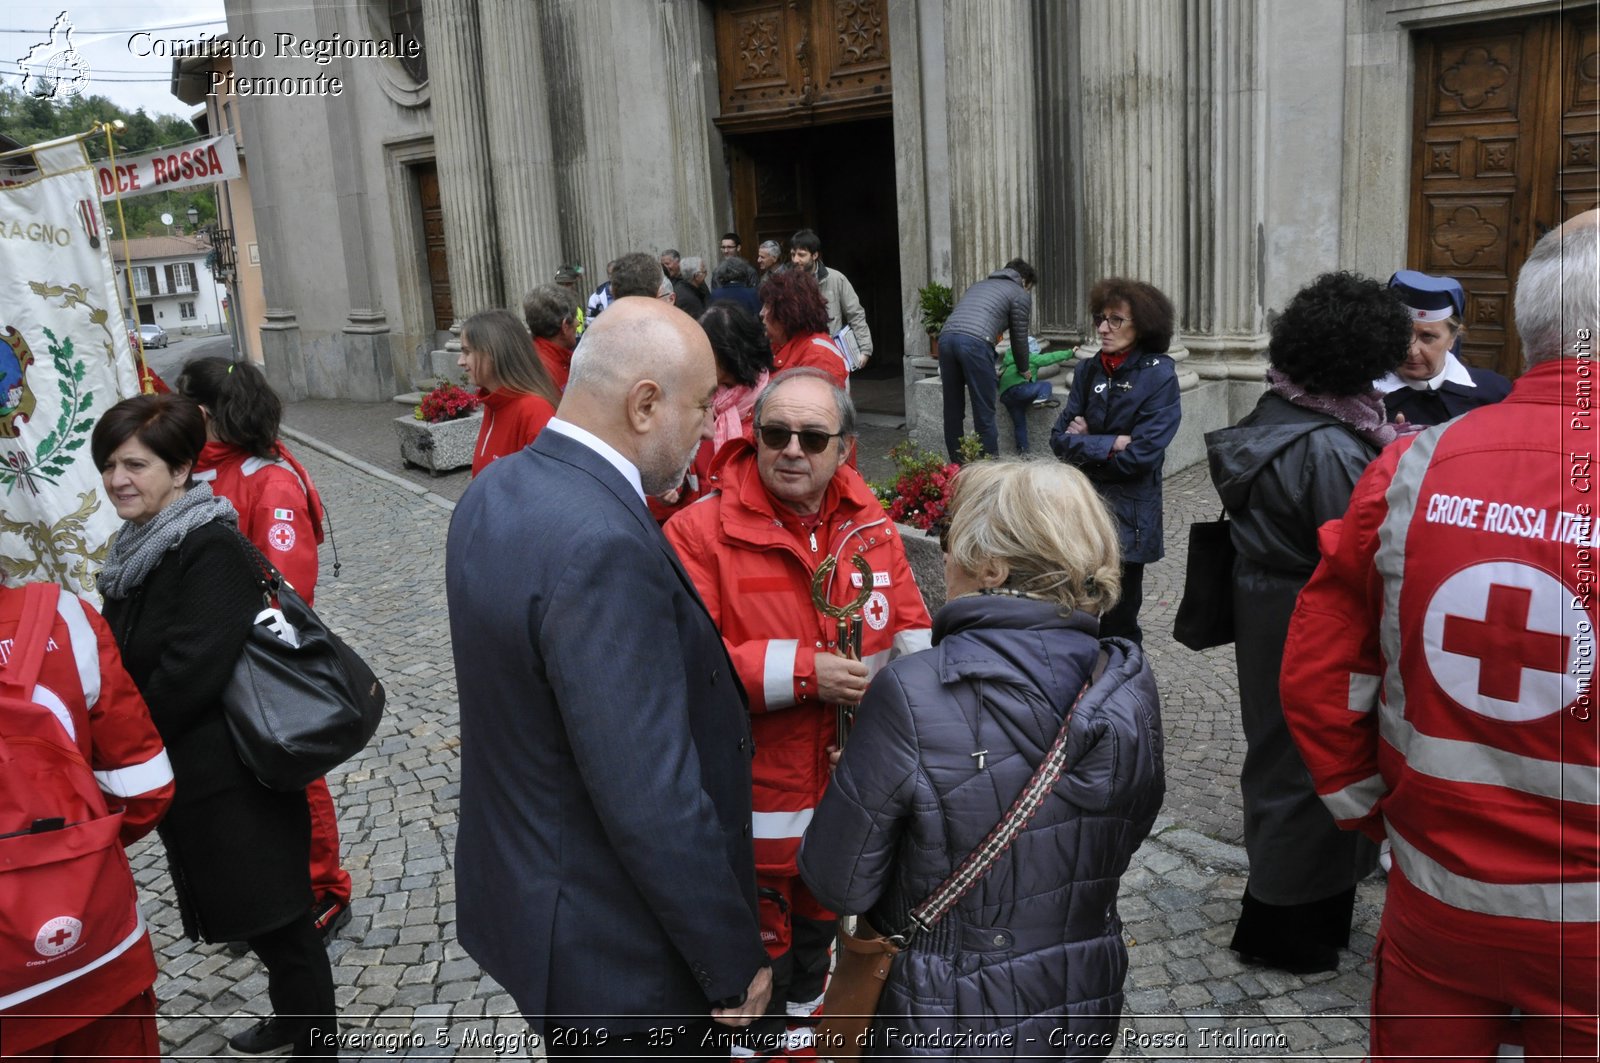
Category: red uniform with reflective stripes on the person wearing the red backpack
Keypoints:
(105, 1001)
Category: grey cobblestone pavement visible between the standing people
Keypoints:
(406, 984)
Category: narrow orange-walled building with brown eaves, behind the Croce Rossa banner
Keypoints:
(238, 260)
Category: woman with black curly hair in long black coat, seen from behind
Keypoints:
(1284, 471)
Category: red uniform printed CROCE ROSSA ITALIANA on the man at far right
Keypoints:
(1438, 680)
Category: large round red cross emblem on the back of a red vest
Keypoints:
(1503, 641)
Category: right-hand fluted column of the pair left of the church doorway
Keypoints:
(521, 158)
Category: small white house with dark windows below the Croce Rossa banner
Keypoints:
(172, 284)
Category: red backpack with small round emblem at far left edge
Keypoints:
(68, 902)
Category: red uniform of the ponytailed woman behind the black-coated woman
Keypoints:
(281, 511)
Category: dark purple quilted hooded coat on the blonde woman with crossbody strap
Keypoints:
(1036, 950)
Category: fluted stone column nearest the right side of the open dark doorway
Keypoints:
(991, 121)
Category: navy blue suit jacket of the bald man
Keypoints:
(604, 862)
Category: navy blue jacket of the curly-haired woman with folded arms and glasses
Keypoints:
(1140, 401)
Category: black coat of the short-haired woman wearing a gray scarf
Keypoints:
(239, 852)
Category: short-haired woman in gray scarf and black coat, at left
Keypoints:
(182, 593)
